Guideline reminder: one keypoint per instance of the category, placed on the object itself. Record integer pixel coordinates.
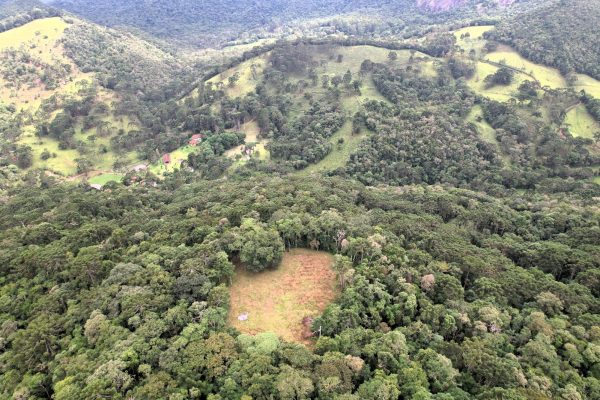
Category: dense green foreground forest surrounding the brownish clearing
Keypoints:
(446, 293)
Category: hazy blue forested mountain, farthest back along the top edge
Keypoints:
(211, 21)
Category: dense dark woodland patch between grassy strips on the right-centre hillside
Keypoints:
(422, 137)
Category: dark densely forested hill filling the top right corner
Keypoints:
(559, 33)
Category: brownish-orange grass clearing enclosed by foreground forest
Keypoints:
(277, 300)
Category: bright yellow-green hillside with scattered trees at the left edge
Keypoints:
(68, 99)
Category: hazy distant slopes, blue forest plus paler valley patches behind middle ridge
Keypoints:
(215, 23)
